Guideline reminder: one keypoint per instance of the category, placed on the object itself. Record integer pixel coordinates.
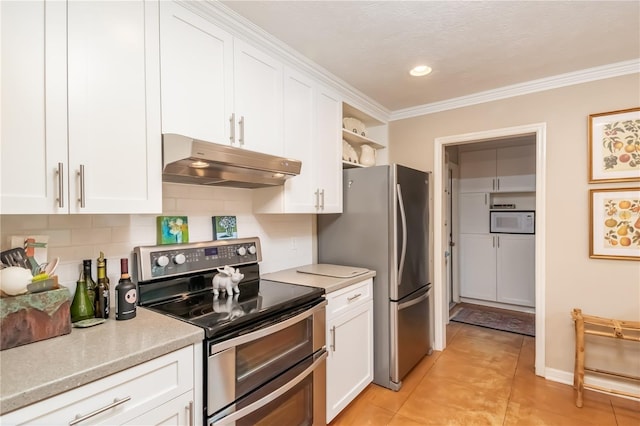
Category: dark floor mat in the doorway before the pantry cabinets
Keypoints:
(497, 319)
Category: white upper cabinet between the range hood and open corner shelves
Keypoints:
(312, 117)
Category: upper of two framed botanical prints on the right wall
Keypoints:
(614, 146)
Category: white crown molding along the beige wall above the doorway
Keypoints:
(554, 82)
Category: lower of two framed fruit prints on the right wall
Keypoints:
(615, 223)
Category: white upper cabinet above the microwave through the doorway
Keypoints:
(509, 169)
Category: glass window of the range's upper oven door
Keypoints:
(263, 359)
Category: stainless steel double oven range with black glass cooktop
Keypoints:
(264, 348)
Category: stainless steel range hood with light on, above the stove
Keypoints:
(188, 160)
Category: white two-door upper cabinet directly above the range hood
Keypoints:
(215, 87)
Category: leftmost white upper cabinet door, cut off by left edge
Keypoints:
(34, 119)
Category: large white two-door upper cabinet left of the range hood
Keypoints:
(80, 107)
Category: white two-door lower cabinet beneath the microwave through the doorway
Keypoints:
(498, 268)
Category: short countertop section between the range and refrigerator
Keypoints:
(329, 277)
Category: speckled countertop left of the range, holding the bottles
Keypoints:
(39, 370)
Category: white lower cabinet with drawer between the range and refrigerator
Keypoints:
(350, 344)
